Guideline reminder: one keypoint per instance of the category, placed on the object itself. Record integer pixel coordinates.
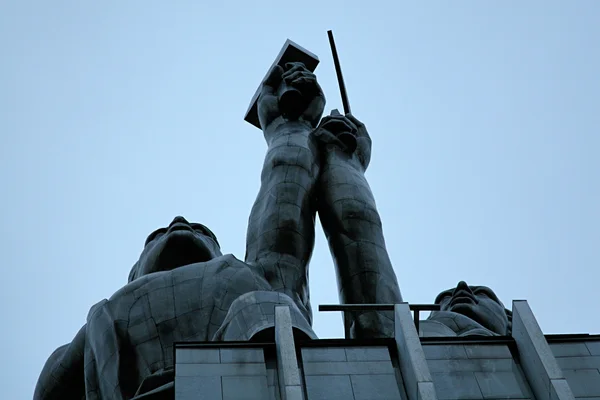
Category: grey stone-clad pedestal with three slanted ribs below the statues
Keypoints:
(526, 365)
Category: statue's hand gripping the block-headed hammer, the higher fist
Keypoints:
(298, 77)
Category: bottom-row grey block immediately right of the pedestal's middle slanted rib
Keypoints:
(456, 386)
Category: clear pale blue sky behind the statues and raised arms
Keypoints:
(115, 116)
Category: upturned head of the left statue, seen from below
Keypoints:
(181, 243)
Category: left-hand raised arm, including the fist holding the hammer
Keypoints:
(280, 235)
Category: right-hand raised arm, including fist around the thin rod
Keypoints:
(353, 227)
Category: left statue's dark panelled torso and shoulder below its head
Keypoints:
(140, 323)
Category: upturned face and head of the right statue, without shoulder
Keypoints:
(479, 303)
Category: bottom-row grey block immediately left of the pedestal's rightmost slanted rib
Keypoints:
(502, 385)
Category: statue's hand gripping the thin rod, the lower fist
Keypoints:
(346, 133)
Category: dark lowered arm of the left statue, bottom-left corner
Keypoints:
(62, 376)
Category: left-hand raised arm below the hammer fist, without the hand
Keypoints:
(281, 235)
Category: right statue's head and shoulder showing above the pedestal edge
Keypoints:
(466, 311)
